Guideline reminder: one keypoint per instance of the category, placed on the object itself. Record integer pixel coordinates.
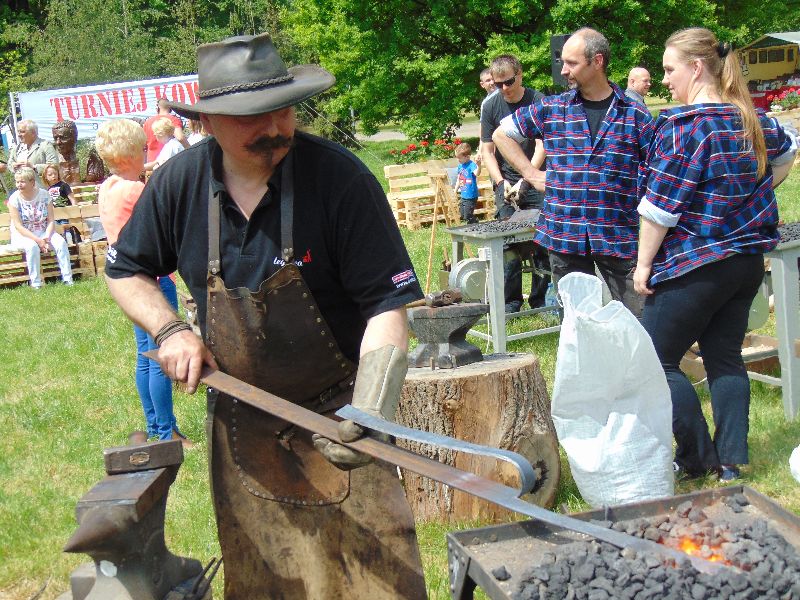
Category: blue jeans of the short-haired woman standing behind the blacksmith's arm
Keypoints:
(155, 388)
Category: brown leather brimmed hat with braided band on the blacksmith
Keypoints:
(245, 75)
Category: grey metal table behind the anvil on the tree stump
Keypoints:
(490, 244)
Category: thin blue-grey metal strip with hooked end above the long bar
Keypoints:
(527, 476)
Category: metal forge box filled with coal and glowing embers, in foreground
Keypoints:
(522, 560)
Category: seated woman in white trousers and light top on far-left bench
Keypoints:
(33, 229)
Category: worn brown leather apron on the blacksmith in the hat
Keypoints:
(291, 525)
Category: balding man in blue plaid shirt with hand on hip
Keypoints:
(595, 138)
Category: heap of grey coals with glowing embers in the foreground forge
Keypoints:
(762, 564)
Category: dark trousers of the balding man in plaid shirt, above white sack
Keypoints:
(616, 272)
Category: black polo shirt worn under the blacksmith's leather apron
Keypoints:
(346, 241)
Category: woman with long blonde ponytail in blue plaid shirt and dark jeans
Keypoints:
(708, 216)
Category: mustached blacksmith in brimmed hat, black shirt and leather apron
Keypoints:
(288, 245)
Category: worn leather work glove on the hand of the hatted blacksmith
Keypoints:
(380, 378)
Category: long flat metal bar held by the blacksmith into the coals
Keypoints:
(470, 483)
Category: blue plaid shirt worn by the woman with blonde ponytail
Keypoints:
(702, 183)
